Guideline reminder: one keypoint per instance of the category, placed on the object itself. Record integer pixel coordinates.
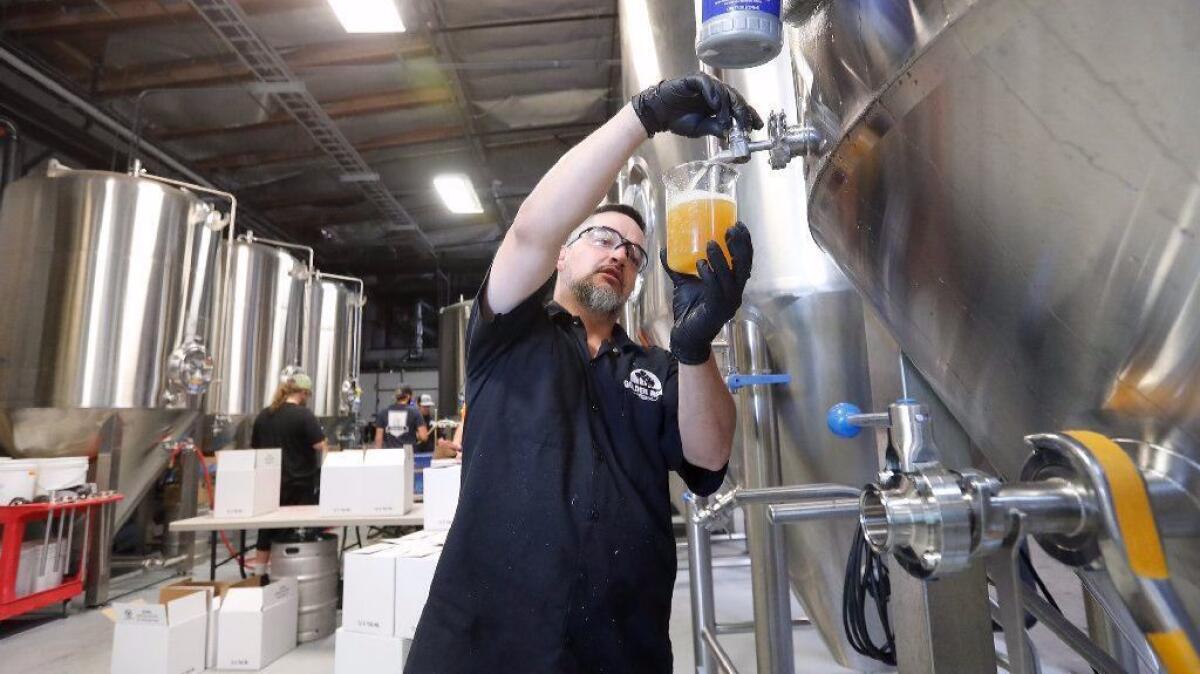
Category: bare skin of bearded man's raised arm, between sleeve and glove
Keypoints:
(563, 200)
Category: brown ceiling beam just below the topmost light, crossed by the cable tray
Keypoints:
(229, 70)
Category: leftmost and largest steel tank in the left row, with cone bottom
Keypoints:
(103, 276)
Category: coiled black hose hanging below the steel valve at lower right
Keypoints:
(867, 576)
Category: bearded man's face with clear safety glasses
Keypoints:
(607, 276)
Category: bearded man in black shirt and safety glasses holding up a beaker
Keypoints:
(562, 558)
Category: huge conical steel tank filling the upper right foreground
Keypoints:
(1013, 185)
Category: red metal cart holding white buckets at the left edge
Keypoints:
(62, 527)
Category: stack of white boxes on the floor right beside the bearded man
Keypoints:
(386, 588)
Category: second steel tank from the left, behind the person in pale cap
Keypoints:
(263, 338)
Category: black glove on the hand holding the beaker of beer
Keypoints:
(703, 306)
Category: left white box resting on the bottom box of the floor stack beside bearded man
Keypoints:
(369, 591)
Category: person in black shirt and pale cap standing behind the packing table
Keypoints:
(290, 425)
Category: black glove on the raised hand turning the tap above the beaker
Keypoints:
(693, 106)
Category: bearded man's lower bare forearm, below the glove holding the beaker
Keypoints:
(707, 416)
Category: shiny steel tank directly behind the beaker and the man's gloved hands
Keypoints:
(808, 314)
